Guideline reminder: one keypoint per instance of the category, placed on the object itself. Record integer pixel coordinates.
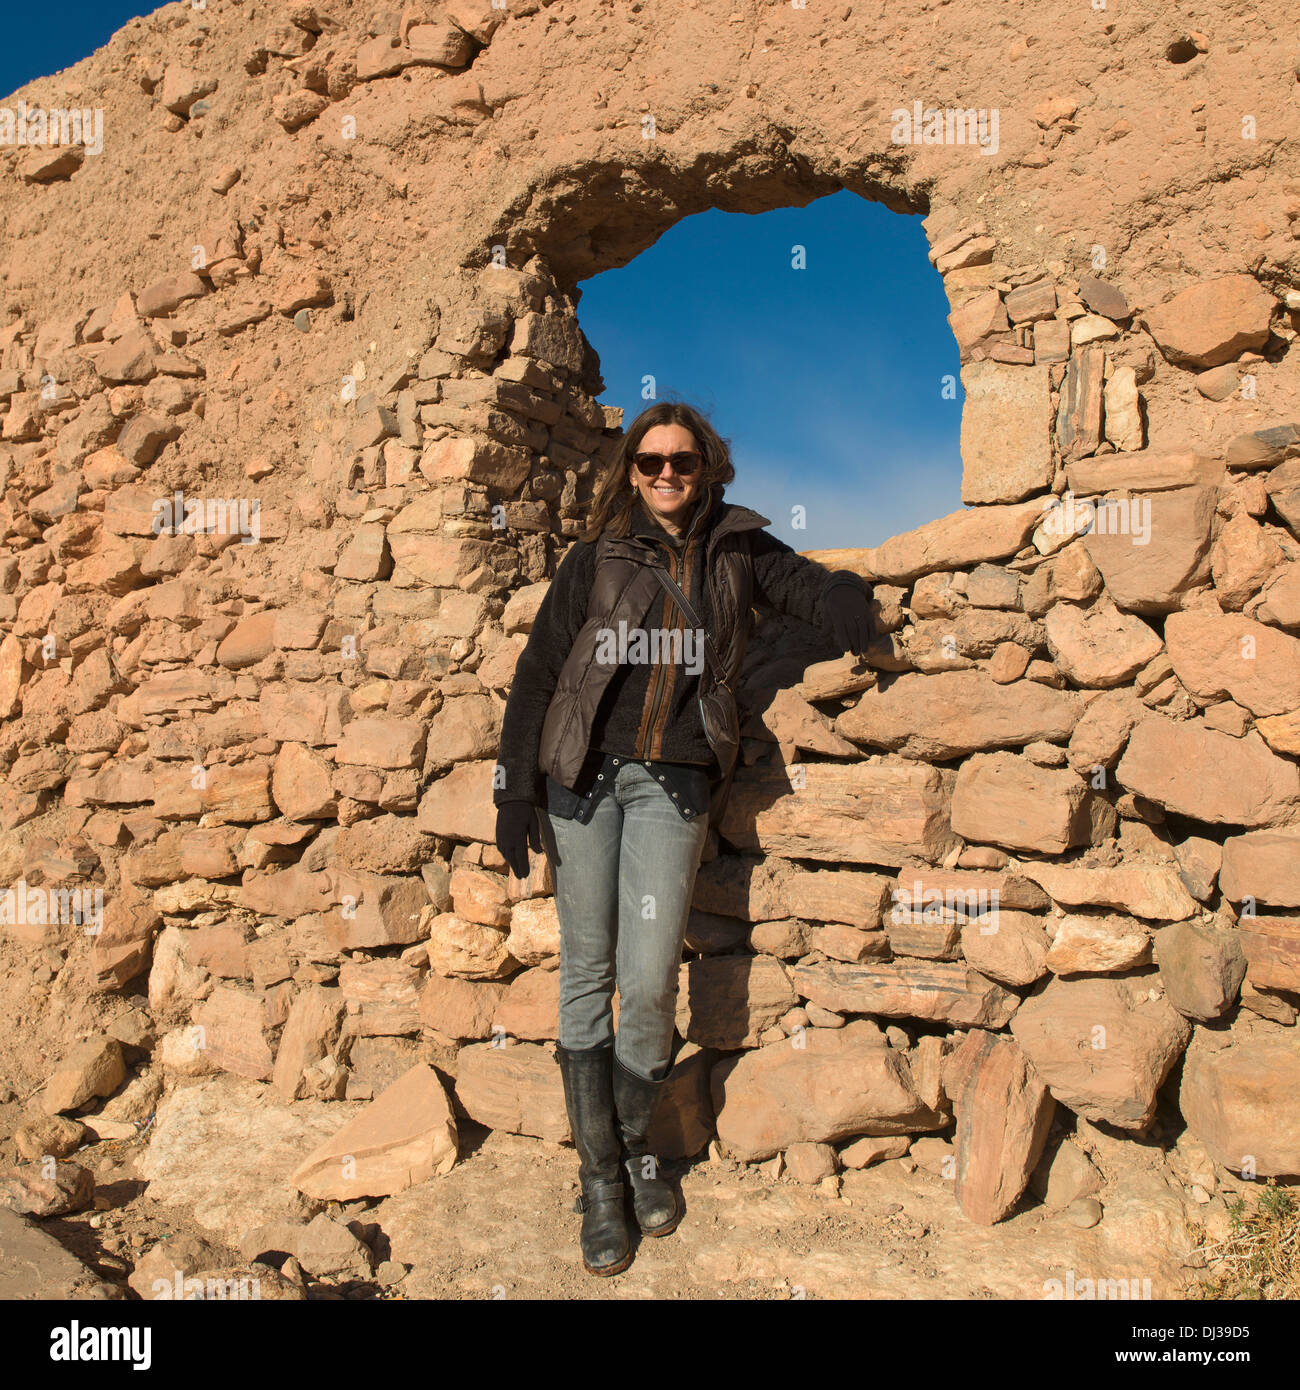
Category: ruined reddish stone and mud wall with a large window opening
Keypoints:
(298, 419)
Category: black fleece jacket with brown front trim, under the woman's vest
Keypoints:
(631, 721)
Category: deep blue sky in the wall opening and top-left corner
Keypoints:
(827, 380)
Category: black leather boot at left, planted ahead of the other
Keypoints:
(589, 1097)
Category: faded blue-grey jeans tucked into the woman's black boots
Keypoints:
(624, 886)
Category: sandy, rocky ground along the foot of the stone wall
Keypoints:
(501, 1225)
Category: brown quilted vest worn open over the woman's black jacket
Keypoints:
(625, 589)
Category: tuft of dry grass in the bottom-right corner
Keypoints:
(1262, 1256)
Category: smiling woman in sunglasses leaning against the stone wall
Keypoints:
(617, 750)
